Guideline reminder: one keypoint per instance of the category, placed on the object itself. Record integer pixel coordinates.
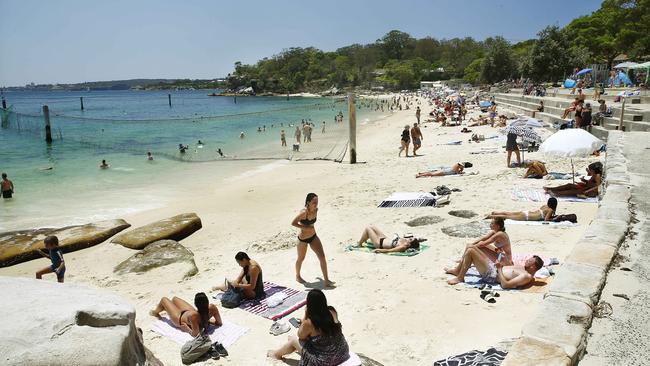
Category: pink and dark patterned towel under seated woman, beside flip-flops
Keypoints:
(294, 300)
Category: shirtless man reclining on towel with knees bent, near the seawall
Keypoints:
(507, 276)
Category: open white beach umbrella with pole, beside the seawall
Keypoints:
(571, 143)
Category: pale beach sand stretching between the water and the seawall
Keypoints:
(393, 309)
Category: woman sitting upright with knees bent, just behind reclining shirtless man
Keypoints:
(493, 244)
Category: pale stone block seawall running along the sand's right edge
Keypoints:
(557, 333)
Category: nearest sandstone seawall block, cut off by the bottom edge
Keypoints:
(529, 351)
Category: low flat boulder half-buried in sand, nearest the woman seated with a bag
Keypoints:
(158, 254)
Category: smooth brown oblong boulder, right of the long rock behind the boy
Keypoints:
(174, 228)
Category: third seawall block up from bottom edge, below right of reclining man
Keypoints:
(579, 281)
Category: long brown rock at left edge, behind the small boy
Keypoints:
(22, 246)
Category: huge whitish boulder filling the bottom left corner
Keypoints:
(48, 323)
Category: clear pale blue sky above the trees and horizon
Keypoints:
(69, 41)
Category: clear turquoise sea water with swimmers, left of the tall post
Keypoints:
(61, 183)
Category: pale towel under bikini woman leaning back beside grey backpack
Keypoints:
(226, 334)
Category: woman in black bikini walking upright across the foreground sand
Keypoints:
(307, 236)
